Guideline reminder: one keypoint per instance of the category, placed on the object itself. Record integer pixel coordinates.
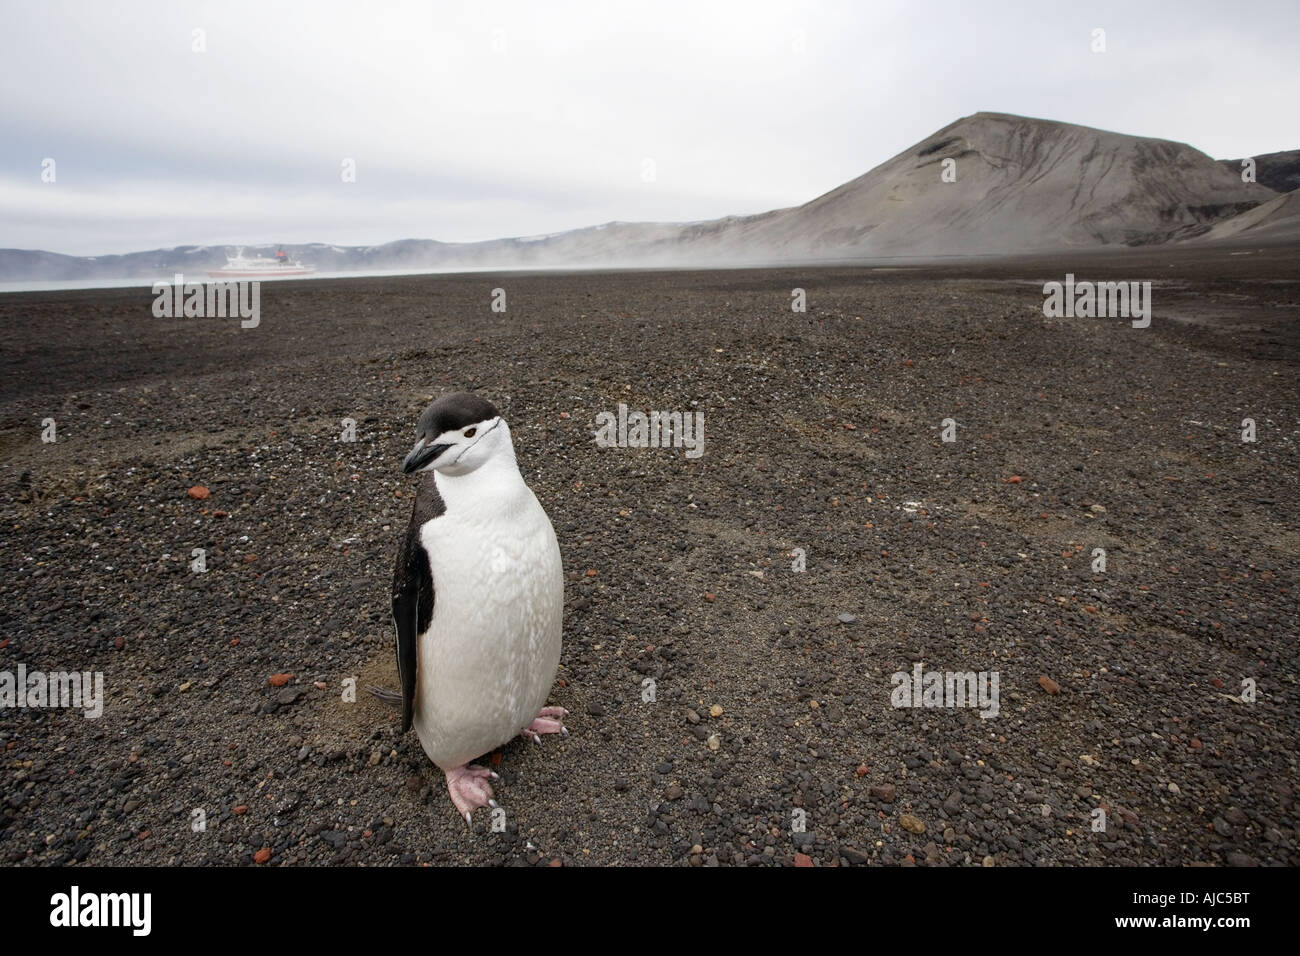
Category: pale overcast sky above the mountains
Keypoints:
(475, 120)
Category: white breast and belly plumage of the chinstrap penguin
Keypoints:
(489, 657)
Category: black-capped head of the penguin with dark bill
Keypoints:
(457, 435)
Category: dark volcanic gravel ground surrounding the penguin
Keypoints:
(1124, 439)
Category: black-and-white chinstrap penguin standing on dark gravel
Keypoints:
(478, 598)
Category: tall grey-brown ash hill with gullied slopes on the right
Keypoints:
(1021, 185)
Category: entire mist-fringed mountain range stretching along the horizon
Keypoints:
(989, 184)
